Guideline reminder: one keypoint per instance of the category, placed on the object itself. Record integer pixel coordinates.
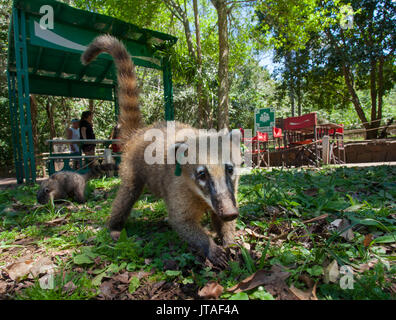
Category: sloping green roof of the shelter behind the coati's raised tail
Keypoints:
(53, 55)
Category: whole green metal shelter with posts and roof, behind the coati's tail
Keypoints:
(44, 58)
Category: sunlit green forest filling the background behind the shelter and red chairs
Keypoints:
(305, 74)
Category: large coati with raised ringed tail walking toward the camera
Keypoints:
(199, 188)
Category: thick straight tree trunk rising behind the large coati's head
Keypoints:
(222, 114)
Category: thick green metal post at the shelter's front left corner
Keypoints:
(29, 164)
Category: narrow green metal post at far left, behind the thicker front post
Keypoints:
(14, 126)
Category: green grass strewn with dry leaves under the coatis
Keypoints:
(271, 203)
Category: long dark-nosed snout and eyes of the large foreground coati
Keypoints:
(216, 185)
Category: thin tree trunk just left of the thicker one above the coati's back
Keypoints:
(202, 100)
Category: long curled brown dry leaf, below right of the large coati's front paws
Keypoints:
(260, 278)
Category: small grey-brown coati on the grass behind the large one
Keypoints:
(65, 184)
